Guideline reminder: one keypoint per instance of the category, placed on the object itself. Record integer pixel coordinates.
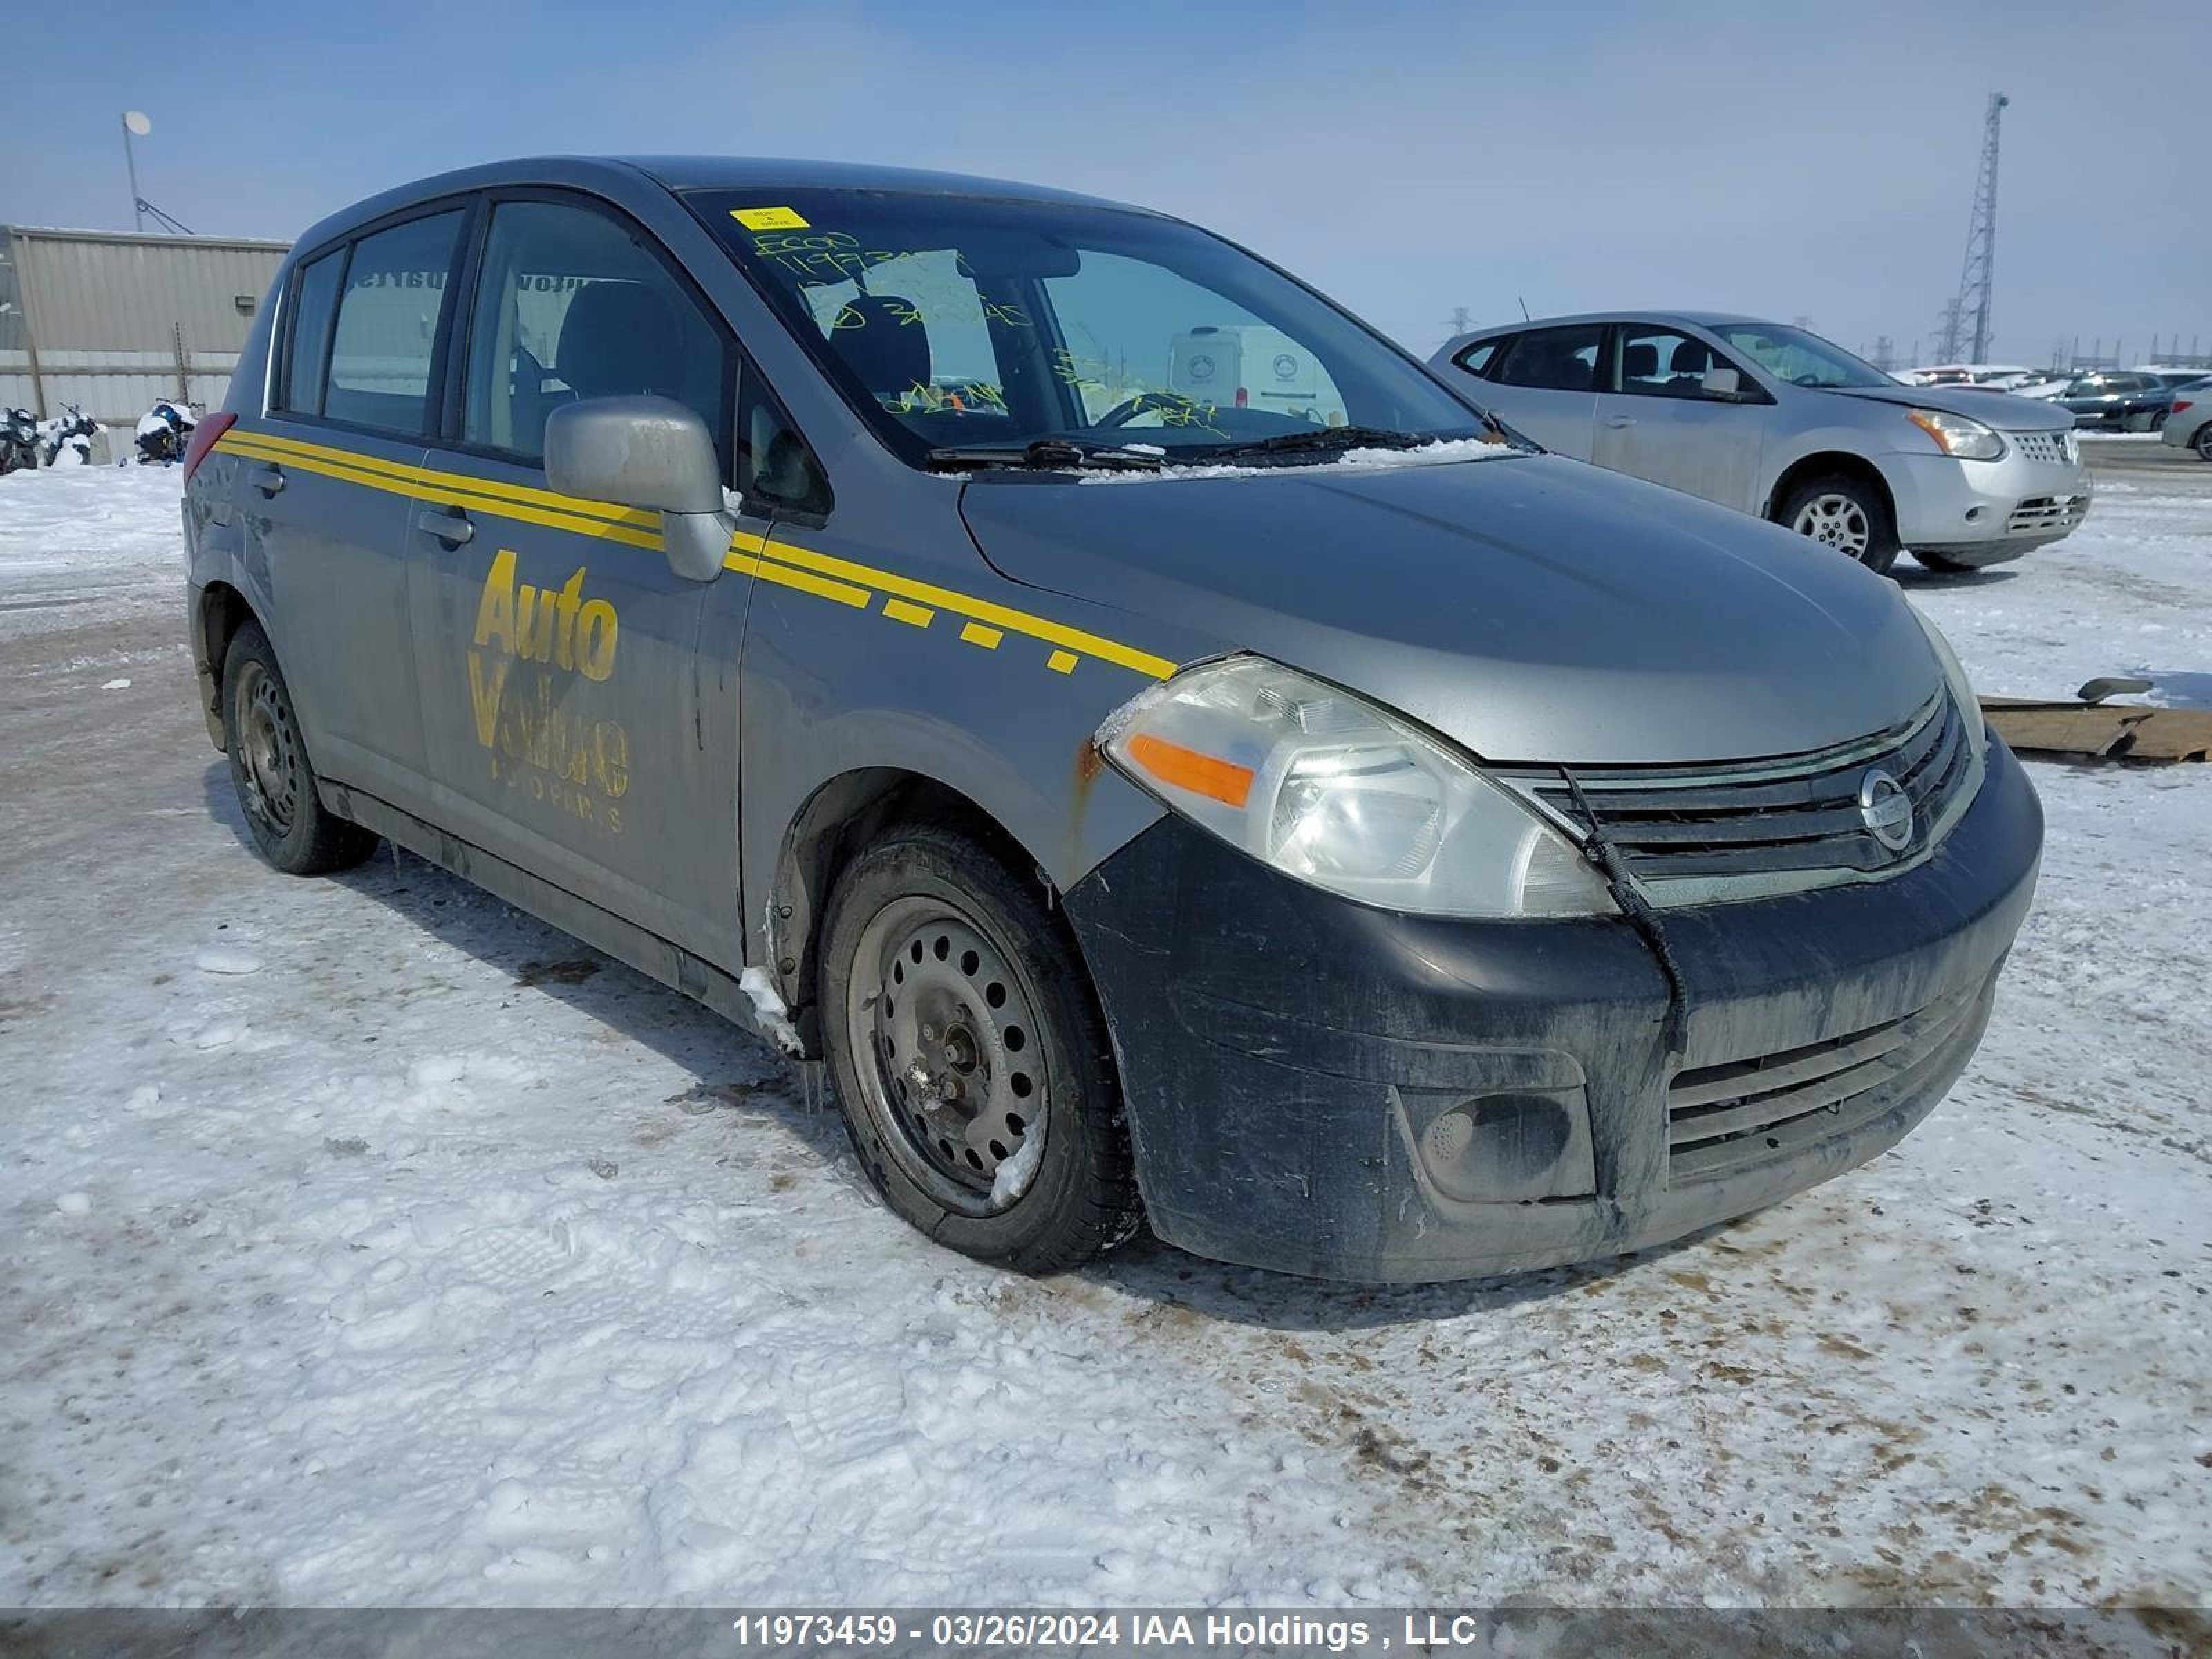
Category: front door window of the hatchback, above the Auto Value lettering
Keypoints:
(574, 306)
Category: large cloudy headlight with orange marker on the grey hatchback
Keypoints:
(1344, 795)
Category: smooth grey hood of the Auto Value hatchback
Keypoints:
(1530, 607)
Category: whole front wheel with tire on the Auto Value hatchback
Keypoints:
(970, 1056)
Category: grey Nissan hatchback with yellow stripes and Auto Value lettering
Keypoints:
(1165, 751)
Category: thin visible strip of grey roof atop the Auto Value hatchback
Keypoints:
(614, 174)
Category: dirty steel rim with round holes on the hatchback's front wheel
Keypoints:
(943, 1030)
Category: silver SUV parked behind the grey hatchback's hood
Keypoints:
(1782, 424)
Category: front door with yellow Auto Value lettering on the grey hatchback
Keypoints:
(574, 722)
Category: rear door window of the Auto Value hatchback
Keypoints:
(388, 326)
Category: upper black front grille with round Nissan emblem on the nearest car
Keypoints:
(1771, 826)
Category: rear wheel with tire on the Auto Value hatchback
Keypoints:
(269, 769)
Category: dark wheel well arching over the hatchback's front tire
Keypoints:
(837, 822)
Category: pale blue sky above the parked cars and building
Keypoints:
(1408, 158)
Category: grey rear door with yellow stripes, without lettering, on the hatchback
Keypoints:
(324, 492)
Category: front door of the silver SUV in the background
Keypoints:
(1656, 421)
